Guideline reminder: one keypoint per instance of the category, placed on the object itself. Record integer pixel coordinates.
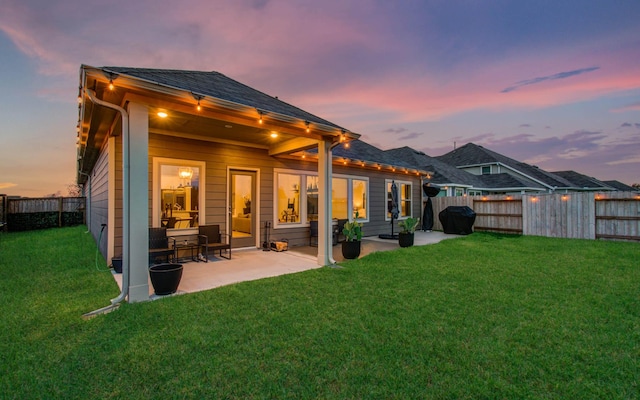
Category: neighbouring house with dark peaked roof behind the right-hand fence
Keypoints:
(525, 178)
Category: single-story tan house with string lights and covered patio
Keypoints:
(182, 149)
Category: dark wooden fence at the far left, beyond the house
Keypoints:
(48, 212)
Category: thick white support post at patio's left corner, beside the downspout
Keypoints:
(137, 191)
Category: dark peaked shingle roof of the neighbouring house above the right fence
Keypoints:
(471, 155)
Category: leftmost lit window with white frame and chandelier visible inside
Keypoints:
(178, 202)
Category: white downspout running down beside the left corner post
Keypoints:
(125, 202)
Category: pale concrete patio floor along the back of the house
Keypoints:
(253, 264)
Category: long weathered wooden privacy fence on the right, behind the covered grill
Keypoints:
(585, 215)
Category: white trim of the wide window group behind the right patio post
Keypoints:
(303, 195)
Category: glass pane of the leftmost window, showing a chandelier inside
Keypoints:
(179, 196)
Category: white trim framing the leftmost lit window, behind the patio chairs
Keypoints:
(155, 208)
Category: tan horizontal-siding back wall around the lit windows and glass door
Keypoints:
(218, 157)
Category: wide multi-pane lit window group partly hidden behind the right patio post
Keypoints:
(296, 198)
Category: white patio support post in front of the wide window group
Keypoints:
(325, 227)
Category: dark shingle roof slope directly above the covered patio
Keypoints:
(219, 86)
